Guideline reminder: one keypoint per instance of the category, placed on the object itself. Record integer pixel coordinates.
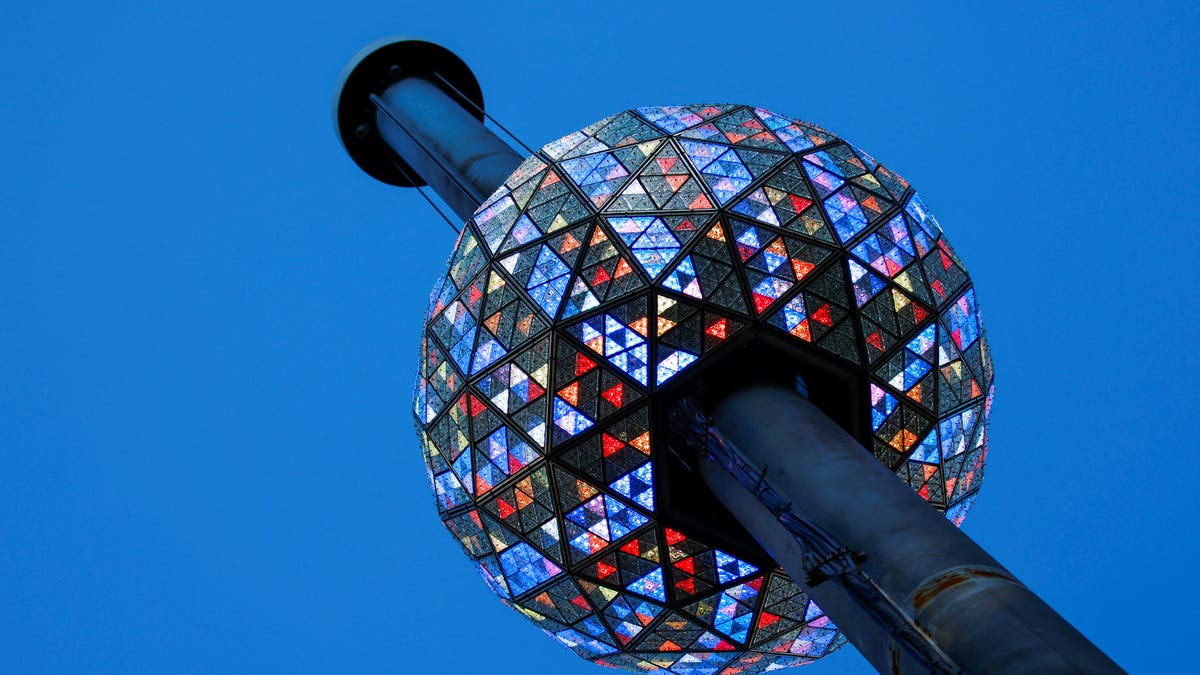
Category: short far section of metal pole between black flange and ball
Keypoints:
(448, 148)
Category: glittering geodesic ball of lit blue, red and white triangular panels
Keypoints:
(609, 267)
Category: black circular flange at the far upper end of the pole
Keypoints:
(371, 71)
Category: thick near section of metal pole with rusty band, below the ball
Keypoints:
(974, 610)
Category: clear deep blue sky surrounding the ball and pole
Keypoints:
(212, 316)
